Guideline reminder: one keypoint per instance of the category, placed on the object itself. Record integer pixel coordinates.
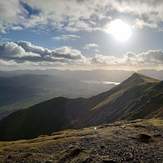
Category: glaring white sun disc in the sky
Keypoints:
(120, 30)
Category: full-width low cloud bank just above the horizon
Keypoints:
(24, 54)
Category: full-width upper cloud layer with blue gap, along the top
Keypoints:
(76, 15)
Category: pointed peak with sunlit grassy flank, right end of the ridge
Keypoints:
(129, 100)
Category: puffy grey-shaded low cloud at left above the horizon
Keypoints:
(23, 51)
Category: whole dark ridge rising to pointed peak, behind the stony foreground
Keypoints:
(137, 97)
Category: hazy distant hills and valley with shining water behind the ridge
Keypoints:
(24, 88)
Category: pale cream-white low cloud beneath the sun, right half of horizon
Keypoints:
(148, 59)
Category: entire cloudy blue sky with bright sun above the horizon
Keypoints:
(81, 34)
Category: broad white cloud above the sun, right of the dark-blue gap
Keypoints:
(80, 13)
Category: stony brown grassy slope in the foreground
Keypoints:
(125, 142)
